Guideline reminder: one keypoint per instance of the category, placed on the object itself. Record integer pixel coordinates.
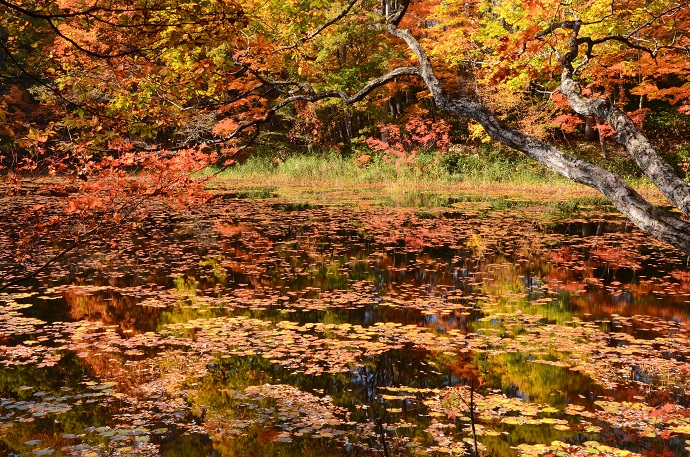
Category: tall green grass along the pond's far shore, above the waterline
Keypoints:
(483, 168)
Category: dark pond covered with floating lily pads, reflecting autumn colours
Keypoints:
(274, 322)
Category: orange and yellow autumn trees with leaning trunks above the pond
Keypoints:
(95, 87)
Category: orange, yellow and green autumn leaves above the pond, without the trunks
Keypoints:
(212, 73)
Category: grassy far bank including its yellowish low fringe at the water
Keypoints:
(485, 173)
